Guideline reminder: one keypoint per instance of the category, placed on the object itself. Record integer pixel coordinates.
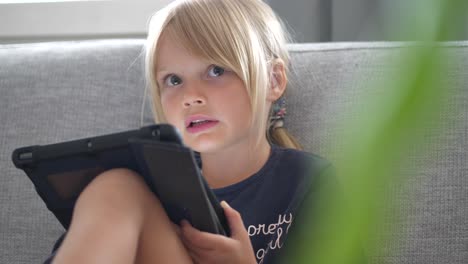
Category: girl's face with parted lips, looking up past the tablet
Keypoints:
(207, 103)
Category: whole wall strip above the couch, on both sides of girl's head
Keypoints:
(309, 20)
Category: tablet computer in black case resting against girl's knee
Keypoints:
(61, 171)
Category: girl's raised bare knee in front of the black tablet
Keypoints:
(108, 217)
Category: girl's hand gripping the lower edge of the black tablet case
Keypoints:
(205, 247)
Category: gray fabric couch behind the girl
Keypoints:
(51, 92)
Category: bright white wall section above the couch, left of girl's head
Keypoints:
(76, 20)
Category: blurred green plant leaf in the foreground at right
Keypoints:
(379, 141)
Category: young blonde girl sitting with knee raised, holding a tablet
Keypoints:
(217, 70)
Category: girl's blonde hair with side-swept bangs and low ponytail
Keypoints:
(244, 36)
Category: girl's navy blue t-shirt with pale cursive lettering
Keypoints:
(269, 200)
